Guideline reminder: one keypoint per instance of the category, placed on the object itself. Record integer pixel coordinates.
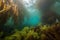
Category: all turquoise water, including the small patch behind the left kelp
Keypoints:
(32, 16)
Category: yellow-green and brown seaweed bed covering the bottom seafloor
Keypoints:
(45, 32)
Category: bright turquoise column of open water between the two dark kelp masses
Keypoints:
(34, 15)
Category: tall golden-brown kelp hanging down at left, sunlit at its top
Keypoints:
(6, 11)
